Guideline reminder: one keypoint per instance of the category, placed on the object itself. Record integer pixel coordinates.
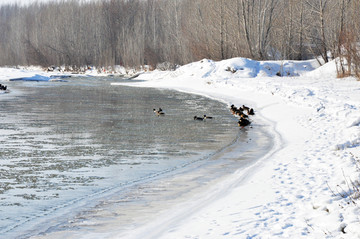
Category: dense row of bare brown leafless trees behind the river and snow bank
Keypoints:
(147, 32)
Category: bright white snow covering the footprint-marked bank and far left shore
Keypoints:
(306, 186)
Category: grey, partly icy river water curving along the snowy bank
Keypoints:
(67, 146)
